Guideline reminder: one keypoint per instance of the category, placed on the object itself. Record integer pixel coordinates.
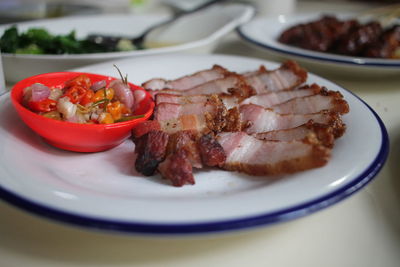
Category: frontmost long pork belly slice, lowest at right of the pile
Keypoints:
(250, 155)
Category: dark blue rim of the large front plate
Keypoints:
(268, 218)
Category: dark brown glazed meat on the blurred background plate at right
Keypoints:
(345, 37)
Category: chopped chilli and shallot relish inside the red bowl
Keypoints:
(82, 101)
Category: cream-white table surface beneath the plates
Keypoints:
(363, 230)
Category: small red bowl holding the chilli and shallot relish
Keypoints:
(75, 136)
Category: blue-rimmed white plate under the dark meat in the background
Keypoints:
(263, 33)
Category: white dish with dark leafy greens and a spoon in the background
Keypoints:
(197, 32)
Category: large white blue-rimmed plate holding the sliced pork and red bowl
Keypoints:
(101, 190)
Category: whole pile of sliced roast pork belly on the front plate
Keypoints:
(264, 122)
